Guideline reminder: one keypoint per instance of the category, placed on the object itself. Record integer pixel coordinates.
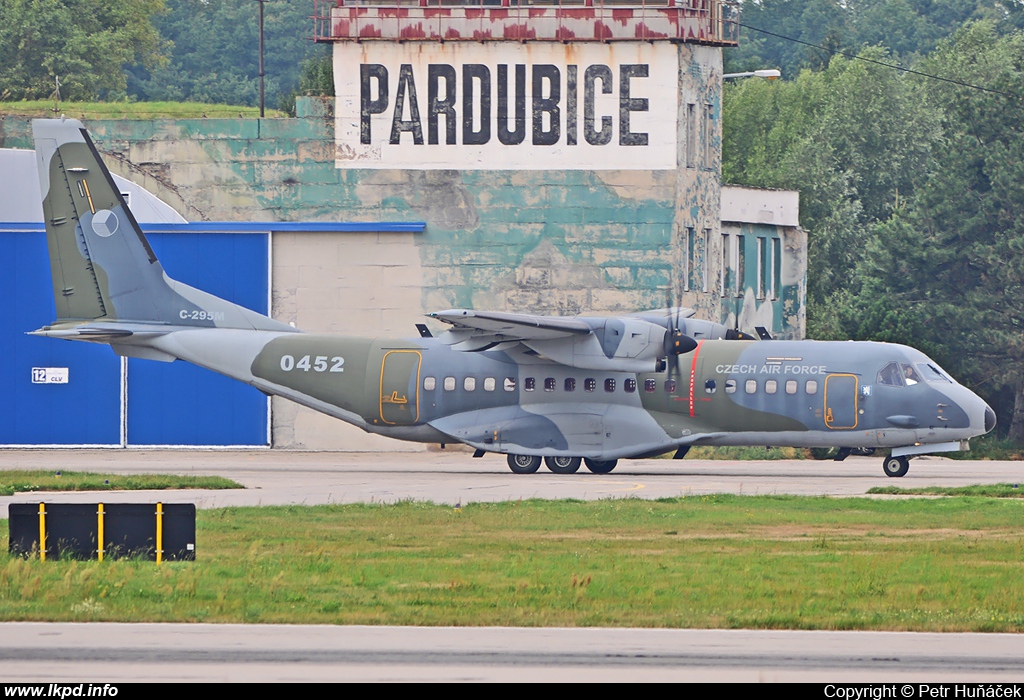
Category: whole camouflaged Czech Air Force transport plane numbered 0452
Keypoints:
(565, 390)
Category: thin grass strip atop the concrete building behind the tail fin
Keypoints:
(44, 108)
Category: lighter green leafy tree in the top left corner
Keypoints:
(87, 43)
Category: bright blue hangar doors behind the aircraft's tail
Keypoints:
(108, 401)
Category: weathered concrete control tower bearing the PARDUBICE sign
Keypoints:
(569, 153)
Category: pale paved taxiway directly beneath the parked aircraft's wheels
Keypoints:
(283, 477)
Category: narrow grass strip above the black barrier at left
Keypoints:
(15, 482)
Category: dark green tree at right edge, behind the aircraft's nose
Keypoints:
(953, 261)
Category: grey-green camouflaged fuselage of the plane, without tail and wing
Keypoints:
(798, 393)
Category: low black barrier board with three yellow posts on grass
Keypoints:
(155, 532)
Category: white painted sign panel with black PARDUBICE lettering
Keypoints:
(502, 106)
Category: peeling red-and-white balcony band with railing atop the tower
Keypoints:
(702, 22)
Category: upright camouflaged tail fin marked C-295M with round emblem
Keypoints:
(104, 270)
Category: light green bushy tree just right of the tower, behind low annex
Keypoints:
(854, 140)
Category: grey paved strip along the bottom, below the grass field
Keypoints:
(117, 653)
